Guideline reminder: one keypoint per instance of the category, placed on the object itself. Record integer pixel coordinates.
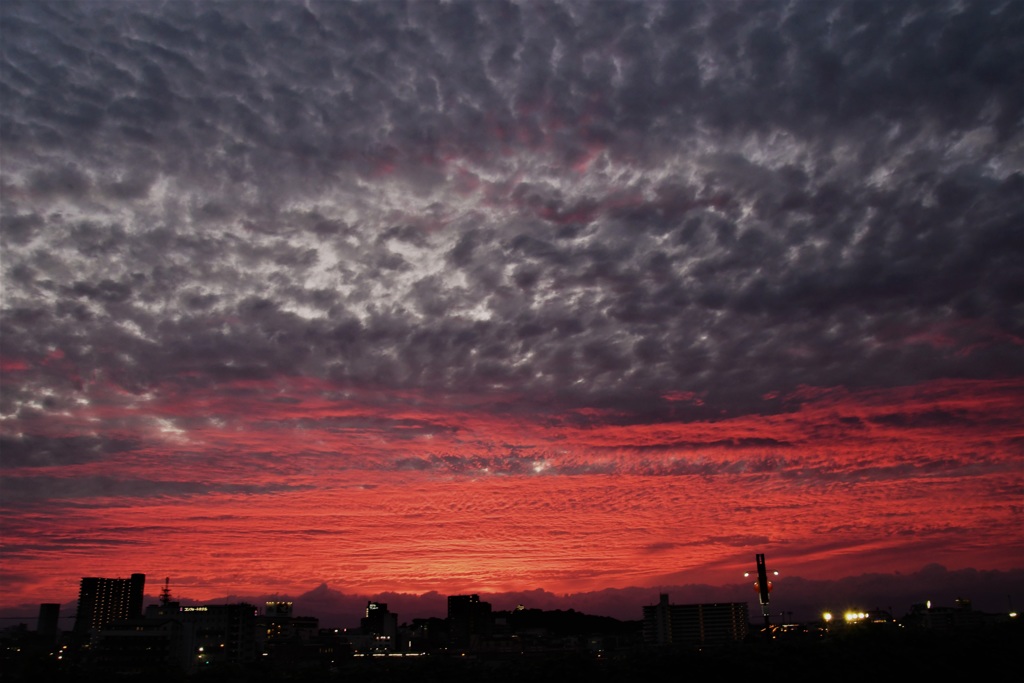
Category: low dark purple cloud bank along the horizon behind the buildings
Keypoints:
(795, 601)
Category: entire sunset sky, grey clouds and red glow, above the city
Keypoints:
(494, 297)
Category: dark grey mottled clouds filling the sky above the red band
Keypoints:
(590, 202)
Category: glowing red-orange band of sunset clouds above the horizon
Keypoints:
(241, 495)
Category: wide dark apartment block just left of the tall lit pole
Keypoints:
(695, 625)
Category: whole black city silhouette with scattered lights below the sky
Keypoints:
(235, 643)
